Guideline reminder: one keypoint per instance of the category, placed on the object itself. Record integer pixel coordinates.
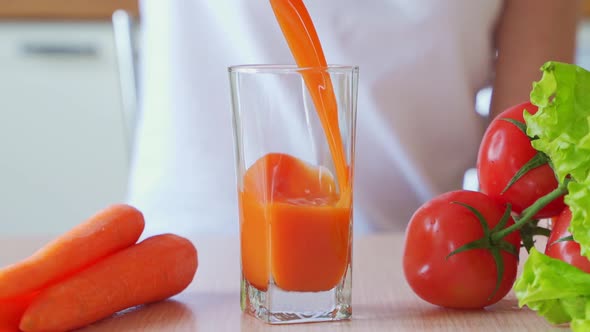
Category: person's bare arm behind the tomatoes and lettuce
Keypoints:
(529, 33)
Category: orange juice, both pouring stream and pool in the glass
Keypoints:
(295, 226)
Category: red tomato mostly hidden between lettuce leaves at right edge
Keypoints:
(567, 251)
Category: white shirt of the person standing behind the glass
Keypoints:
(421, 63)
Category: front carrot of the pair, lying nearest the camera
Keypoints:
(150, 271)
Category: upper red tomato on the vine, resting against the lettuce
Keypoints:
(503, 151)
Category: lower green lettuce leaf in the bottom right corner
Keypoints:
(554, 289)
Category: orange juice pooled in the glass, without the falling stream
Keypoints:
(291, 226)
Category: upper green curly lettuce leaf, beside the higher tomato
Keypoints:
(561, 129)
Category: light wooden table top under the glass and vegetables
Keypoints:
(382, 301)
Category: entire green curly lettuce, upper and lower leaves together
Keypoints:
(561, 129)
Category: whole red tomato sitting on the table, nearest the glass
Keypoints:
(466, 279)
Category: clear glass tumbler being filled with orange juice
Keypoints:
(294, 132)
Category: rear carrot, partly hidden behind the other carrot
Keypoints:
(114, 228)
